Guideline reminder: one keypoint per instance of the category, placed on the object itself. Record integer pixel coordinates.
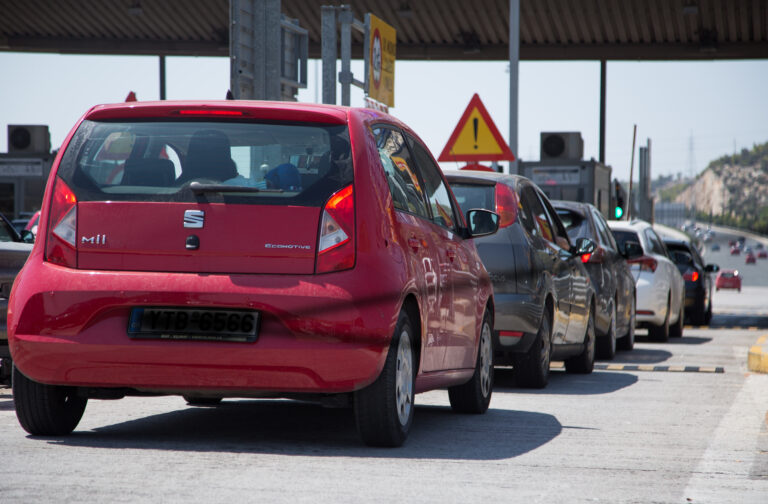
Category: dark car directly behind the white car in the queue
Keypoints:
(611, 277)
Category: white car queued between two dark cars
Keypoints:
(659, 285)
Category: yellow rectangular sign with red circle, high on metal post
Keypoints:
(381, 45)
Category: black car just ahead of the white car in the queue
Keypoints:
(698, 281)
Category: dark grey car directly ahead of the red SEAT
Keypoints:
(545, 304)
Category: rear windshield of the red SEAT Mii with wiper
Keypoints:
(273, 163)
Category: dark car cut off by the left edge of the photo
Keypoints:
(14, 249)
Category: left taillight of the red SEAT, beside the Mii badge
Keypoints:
(61, 242)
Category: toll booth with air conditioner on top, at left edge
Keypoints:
(24, 170)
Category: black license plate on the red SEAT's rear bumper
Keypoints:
(193, 324)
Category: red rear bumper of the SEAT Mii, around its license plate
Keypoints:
(319, 333)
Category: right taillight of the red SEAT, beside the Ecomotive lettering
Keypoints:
(336, 243)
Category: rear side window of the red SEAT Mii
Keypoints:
(404, 184)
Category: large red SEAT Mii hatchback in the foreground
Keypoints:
(251, 249)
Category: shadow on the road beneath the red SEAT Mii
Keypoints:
(296, 428)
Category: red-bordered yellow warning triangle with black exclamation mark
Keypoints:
(476, 138)
